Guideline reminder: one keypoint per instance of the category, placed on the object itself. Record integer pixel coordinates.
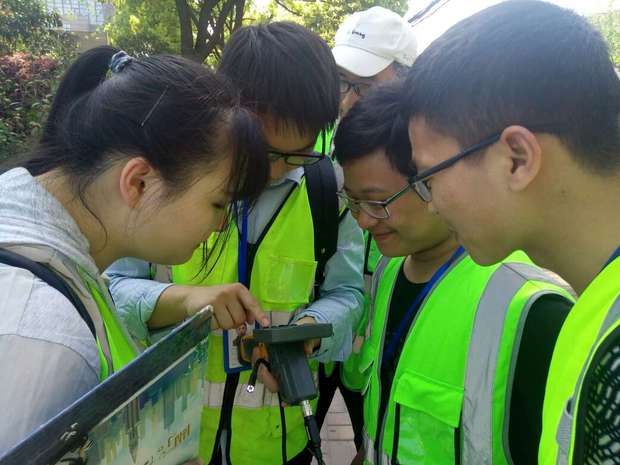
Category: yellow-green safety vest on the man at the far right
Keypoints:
(592, 322)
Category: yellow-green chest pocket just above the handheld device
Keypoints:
(283, 283)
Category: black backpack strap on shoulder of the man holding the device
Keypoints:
(322, 188)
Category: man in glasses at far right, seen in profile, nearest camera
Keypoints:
(534, 82)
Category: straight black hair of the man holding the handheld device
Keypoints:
(285, 71)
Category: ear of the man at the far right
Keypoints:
(525, 156)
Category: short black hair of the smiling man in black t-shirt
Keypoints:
(376, 122)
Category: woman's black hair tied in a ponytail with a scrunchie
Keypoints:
(175, 113)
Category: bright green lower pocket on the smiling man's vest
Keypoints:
(429, 412)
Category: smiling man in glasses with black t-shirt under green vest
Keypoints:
(455, 355)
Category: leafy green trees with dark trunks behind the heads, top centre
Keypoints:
(198, 29)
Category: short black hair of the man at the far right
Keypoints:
(523, 62)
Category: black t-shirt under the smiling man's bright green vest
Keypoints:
(540, 331)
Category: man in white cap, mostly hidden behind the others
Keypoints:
(371, 46)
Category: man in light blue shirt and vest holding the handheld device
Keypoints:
(286, 74)
